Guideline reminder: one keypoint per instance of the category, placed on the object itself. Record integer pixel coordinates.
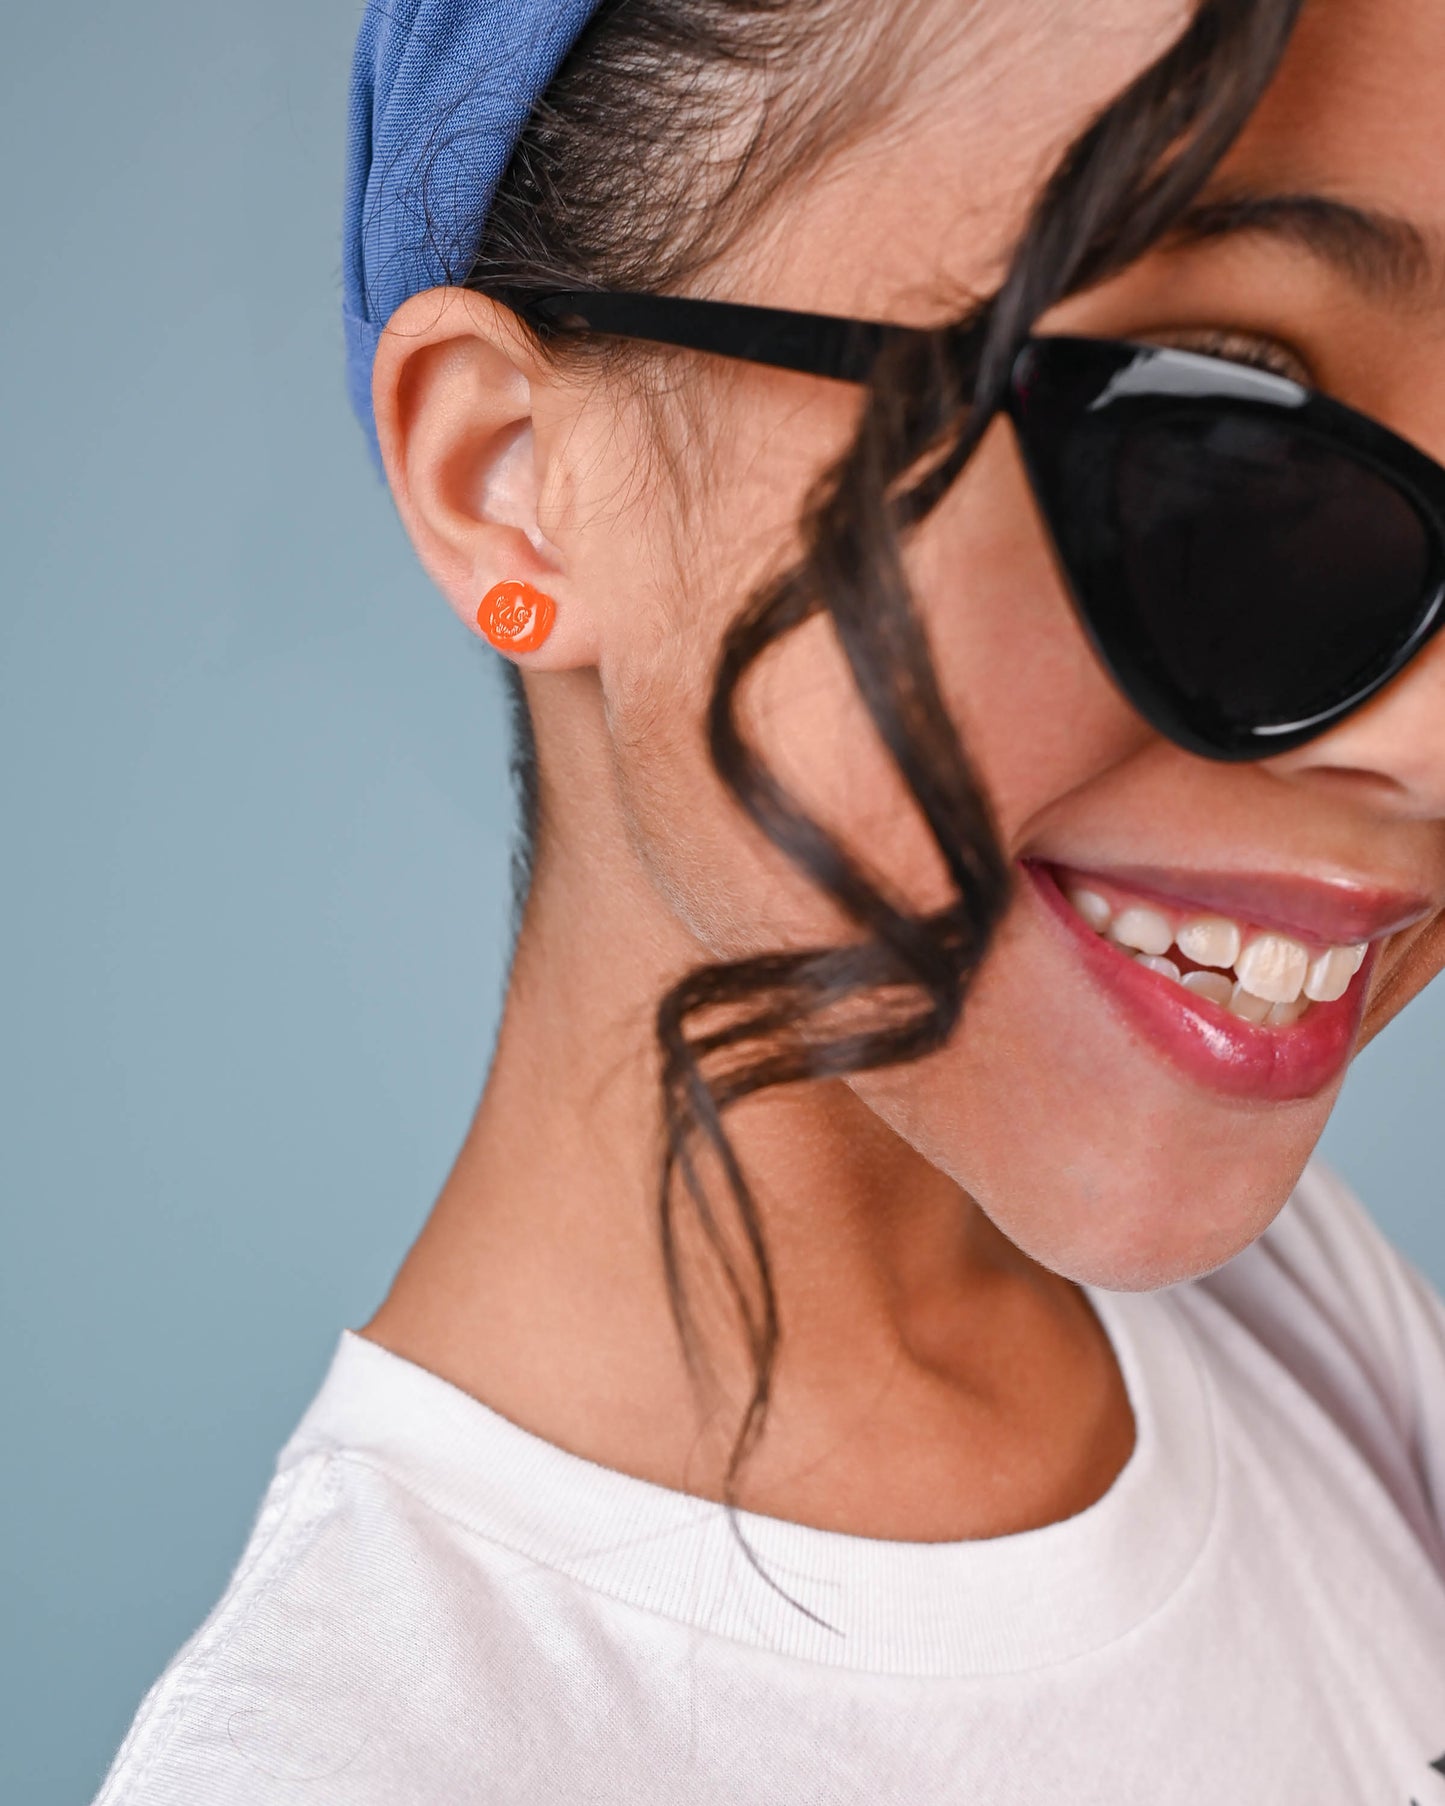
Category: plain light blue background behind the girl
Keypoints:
(256, 824)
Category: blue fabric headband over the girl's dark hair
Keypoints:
(440, 95)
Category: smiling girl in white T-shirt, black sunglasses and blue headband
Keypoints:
(956, 492)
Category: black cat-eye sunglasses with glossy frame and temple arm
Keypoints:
(1251, 559)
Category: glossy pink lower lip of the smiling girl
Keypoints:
(1207, 1045)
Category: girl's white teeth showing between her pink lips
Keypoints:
(1274, 976)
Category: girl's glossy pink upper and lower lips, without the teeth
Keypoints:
(1206, 1043)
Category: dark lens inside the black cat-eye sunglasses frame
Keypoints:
(1271, 575)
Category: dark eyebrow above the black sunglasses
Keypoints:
(1381, 254)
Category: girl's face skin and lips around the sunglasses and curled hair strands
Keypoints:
(1114, 1124)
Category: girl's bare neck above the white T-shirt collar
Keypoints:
(933, 1382)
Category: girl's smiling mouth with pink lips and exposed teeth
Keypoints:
(1249, 1009)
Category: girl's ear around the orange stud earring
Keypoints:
(454, 389)
